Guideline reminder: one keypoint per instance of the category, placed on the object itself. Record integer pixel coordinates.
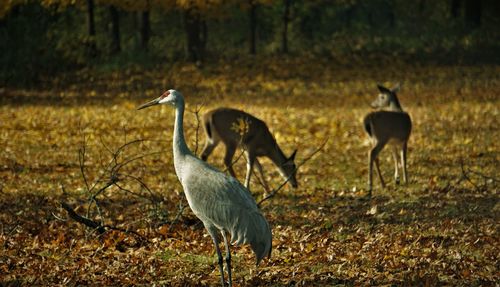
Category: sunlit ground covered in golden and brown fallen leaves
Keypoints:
(440, 229)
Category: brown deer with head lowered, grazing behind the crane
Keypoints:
(237, 128)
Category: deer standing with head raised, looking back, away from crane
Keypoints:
(388, 125)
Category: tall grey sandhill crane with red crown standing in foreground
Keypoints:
(218, 200)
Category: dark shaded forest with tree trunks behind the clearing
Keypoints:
(41, 38)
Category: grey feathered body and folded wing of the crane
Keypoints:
(220, 200)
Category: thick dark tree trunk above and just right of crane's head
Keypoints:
(194, 33)
